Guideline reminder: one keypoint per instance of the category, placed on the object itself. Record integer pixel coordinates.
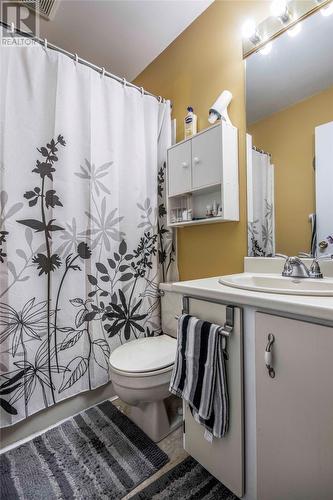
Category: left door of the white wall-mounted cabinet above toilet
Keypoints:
(179, 169)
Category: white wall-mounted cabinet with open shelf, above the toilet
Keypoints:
(203, 174)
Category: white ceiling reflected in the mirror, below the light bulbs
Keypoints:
(295, 69)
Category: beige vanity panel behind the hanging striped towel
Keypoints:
(223, 458)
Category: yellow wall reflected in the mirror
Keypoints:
(289, 136)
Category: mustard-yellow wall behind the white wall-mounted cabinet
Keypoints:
(204, 60)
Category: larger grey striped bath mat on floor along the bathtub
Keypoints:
(97, 454)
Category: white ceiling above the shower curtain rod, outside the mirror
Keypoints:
(124, 36)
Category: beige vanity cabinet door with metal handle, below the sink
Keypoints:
(294, 410)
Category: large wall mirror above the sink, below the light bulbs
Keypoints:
(289, 106)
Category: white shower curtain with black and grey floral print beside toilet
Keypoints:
(83, 241)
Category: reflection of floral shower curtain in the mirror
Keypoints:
(261, 223)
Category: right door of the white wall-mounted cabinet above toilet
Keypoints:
(207, 158)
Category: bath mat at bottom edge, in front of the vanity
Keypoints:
(187, 481)
